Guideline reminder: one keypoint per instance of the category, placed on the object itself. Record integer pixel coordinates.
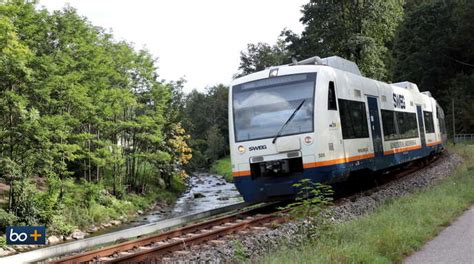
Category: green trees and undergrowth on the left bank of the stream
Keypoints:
(88, 133)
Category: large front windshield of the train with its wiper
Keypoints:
(261, 107)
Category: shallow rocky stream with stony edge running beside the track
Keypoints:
(204, 192)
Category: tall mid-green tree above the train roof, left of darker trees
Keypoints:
(361, 31)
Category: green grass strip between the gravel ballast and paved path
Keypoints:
(396, 229)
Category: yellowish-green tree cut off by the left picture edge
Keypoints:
(16, 118)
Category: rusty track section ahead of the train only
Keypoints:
(154, 248)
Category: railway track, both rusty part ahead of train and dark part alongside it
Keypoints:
(154, 248)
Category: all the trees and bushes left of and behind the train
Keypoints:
(89, 132)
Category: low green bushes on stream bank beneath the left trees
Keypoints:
(66, 204)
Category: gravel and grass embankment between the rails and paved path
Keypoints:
(383, 224)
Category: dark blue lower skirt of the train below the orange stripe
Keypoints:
(262, 189)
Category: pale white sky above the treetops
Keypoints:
(199, 41)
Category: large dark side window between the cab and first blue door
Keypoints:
(353, 119)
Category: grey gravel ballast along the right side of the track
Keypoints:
(257, 243)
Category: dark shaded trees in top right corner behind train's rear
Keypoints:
(433, 49)
